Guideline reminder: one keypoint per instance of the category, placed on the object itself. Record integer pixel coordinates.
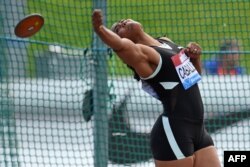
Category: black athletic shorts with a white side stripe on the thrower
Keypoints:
(173, 139)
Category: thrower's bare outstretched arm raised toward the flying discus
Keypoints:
(134, 55)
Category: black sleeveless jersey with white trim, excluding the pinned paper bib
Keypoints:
(166, 85)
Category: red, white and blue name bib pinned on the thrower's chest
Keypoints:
(185, 70)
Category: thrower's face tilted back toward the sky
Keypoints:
(126, 28)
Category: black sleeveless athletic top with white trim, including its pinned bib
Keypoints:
(174, 83)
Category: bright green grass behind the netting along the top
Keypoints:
(207, 22)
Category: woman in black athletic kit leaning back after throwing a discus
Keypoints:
(169, 73)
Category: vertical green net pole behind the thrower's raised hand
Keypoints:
(100, 95)
